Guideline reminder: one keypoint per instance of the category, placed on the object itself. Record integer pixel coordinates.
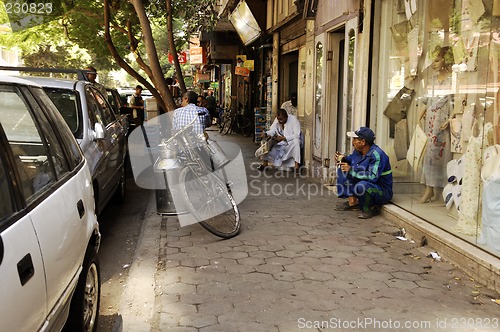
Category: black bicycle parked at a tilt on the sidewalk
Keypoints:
(199, 173)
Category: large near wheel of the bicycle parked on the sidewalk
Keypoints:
(209, 201)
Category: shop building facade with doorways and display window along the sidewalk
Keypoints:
(423, 74)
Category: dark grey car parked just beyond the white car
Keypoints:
(100, 133)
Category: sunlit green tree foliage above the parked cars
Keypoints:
(82, 24)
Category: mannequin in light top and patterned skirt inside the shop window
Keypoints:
(437, 153)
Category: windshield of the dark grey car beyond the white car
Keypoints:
(67, 103)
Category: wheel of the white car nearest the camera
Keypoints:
(84, 309)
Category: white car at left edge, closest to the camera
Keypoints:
(49, 235)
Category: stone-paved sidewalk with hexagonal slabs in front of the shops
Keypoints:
(299, 265)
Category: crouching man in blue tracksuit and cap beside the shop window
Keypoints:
(364, 176)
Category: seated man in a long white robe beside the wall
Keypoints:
(285, 130)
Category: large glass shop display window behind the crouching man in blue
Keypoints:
(438, 87)
